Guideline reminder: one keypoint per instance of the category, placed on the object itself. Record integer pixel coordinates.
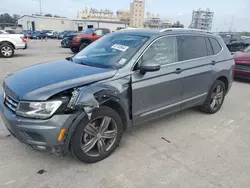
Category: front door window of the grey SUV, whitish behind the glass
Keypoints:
(163, 51)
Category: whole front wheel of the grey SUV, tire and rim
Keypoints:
(95, 139)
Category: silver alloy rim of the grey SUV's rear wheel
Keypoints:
(217, 97)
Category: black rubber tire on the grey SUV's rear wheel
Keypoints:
(207, 106)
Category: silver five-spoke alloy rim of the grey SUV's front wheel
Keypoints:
(99, 136)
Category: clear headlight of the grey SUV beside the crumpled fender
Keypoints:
(39, 110)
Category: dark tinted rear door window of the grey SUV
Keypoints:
(193, 47)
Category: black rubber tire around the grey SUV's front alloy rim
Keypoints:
(77, 137)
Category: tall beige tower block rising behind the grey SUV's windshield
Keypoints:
(137, 11)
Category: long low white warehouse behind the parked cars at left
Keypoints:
(61, 24)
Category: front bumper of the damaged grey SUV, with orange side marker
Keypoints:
(39, 134)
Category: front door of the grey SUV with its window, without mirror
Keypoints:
(157, 93)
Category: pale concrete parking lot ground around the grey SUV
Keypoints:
(198, 150)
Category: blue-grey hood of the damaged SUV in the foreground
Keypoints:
(39, 82)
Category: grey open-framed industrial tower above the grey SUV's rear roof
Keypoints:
(202, 19)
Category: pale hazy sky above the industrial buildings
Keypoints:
(228, 14)
